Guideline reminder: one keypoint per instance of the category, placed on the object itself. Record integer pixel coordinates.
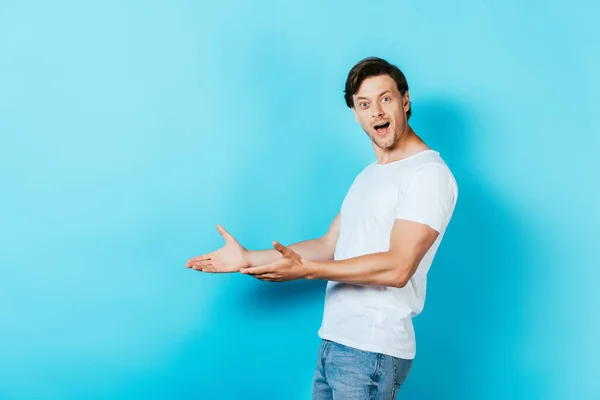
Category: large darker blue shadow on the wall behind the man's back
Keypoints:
(467, 334)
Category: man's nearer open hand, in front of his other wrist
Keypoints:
(291, 266)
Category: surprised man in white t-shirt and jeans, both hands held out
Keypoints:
(377, 251)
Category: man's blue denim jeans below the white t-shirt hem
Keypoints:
(346, 373)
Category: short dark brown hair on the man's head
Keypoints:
(373, 66)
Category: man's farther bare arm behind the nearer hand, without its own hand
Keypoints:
(320, 249)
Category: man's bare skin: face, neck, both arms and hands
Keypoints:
(377, 100)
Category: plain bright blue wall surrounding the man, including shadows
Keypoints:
(130, 129)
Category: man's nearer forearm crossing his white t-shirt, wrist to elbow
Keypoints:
(381, 269)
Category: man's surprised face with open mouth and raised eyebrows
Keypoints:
(381, 110)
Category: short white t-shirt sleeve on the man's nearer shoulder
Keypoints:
(428, 197)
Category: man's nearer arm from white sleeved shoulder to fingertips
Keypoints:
(430, 198)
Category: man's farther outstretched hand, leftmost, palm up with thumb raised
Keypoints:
(229, 258)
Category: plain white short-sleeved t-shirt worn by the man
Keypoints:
(419, 188)
